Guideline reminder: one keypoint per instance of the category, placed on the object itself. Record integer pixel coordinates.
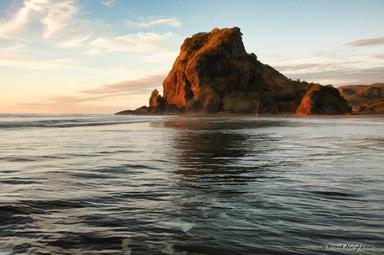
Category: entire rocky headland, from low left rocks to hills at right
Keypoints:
(213, 74)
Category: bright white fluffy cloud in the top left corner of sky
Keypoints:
(53, 15)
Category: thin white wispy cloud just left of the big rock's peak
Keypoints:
(139, 42)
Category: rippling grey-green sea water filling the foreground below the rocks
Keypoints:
(99, 184)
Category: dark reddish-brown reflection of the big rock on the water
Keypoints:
(204, 148)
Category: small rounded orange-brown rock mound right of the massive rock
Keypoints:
(323, 100)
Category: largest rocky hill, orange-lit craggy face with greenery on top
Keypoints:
(213, 72)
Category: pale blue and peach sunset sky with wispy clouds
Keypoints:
(103, 56)
